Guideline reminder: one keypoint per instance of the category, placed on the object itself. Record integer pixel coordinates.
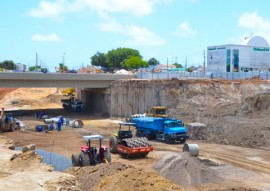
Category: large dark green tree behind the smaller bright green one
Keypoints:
(114, 58)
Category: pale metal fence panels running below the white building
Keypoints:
(195, 75)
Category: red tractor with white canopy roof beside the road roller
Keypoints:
(91, 155)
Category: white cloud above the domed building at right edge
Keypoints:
(255, 24)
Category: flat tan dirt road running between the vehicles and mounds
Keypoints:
(241, 167)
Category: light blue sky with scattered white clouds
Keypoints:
(165, 29)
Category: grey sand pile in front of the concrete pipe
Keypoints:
(186, 170)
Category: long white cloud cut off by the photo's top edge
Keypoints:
(56, 9)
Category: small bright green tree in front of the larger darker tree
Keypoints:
(134, 62)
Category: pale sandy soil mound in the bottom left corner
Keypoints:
(24, 171)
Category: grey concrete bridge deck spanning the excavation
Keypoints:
(78, 80)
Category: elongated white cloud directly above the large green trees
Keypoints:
(139, 35)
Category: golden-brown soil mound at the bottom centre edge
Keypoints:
(119, 176)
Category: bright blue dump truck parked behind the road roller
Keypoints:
(165, 129)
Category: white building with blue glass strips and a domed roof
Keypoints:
(252, 55)
